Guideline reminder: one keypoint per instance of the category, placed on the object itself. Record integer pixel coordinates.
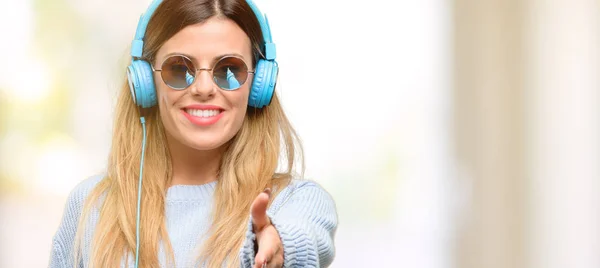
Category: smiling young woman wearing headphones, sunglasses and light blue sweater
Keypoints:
(193, 178)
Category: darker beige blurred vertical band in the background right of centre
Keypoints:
(489, 108)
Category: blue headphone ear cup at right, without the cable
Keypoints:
(263, 84)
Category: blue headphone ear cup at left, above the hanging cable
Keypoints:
(141, 83)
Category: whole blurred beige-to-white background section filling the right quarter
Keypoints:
(527, 128)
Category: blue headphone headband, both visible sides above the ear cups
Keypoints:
(137, 45)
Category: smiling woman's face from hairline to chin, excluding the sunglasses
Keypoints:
(203, 116)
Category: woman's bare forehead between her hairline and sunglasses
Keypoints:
(208, 40)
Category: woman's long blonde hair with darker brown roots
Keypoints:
(249, 165)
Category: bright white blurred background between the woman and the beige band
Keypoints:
(367, 86)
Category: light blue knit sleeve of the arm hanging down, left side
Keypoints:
(62, 255)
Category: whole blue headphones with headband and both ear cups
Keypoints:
(140, 76)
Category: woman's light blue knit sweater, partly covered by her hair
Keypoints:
(303, 213)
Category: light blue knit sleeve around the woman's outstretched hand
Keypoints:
(306, 220)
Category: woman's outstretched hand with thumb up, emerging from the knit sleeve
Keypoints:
(270, 248)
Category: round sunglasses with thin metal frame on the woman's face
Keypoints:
(179, 72)
